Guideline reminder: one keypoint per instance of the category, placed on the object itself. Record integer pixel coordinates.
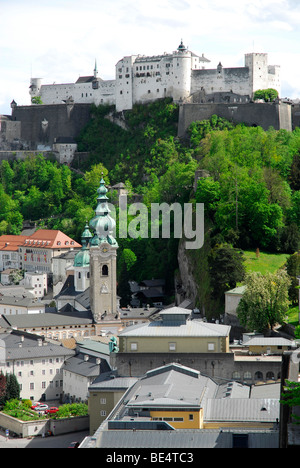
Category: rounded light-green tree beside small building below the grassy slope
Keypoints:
(265, 301)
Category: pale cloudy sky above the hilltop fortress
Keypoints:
(59, 40)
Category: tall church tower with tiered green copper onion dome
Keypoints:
(103, 259)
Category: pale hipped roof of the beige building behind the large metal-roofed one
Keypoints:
(190, 328)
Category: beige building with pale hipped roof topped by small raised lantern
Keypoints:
(175, 333)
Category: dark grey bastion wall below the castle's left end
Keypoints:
(40, 125)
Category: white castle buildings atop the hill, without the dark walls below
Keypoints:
(178, 75)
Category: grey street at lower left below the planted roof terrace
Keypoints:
(61, 441)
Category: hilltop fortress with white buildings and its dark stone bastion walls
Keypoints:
(181, 75)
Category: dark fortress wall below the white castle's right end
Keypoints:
(263, 114)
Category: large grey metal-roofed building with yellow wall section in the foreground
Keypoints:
(178, 398)
